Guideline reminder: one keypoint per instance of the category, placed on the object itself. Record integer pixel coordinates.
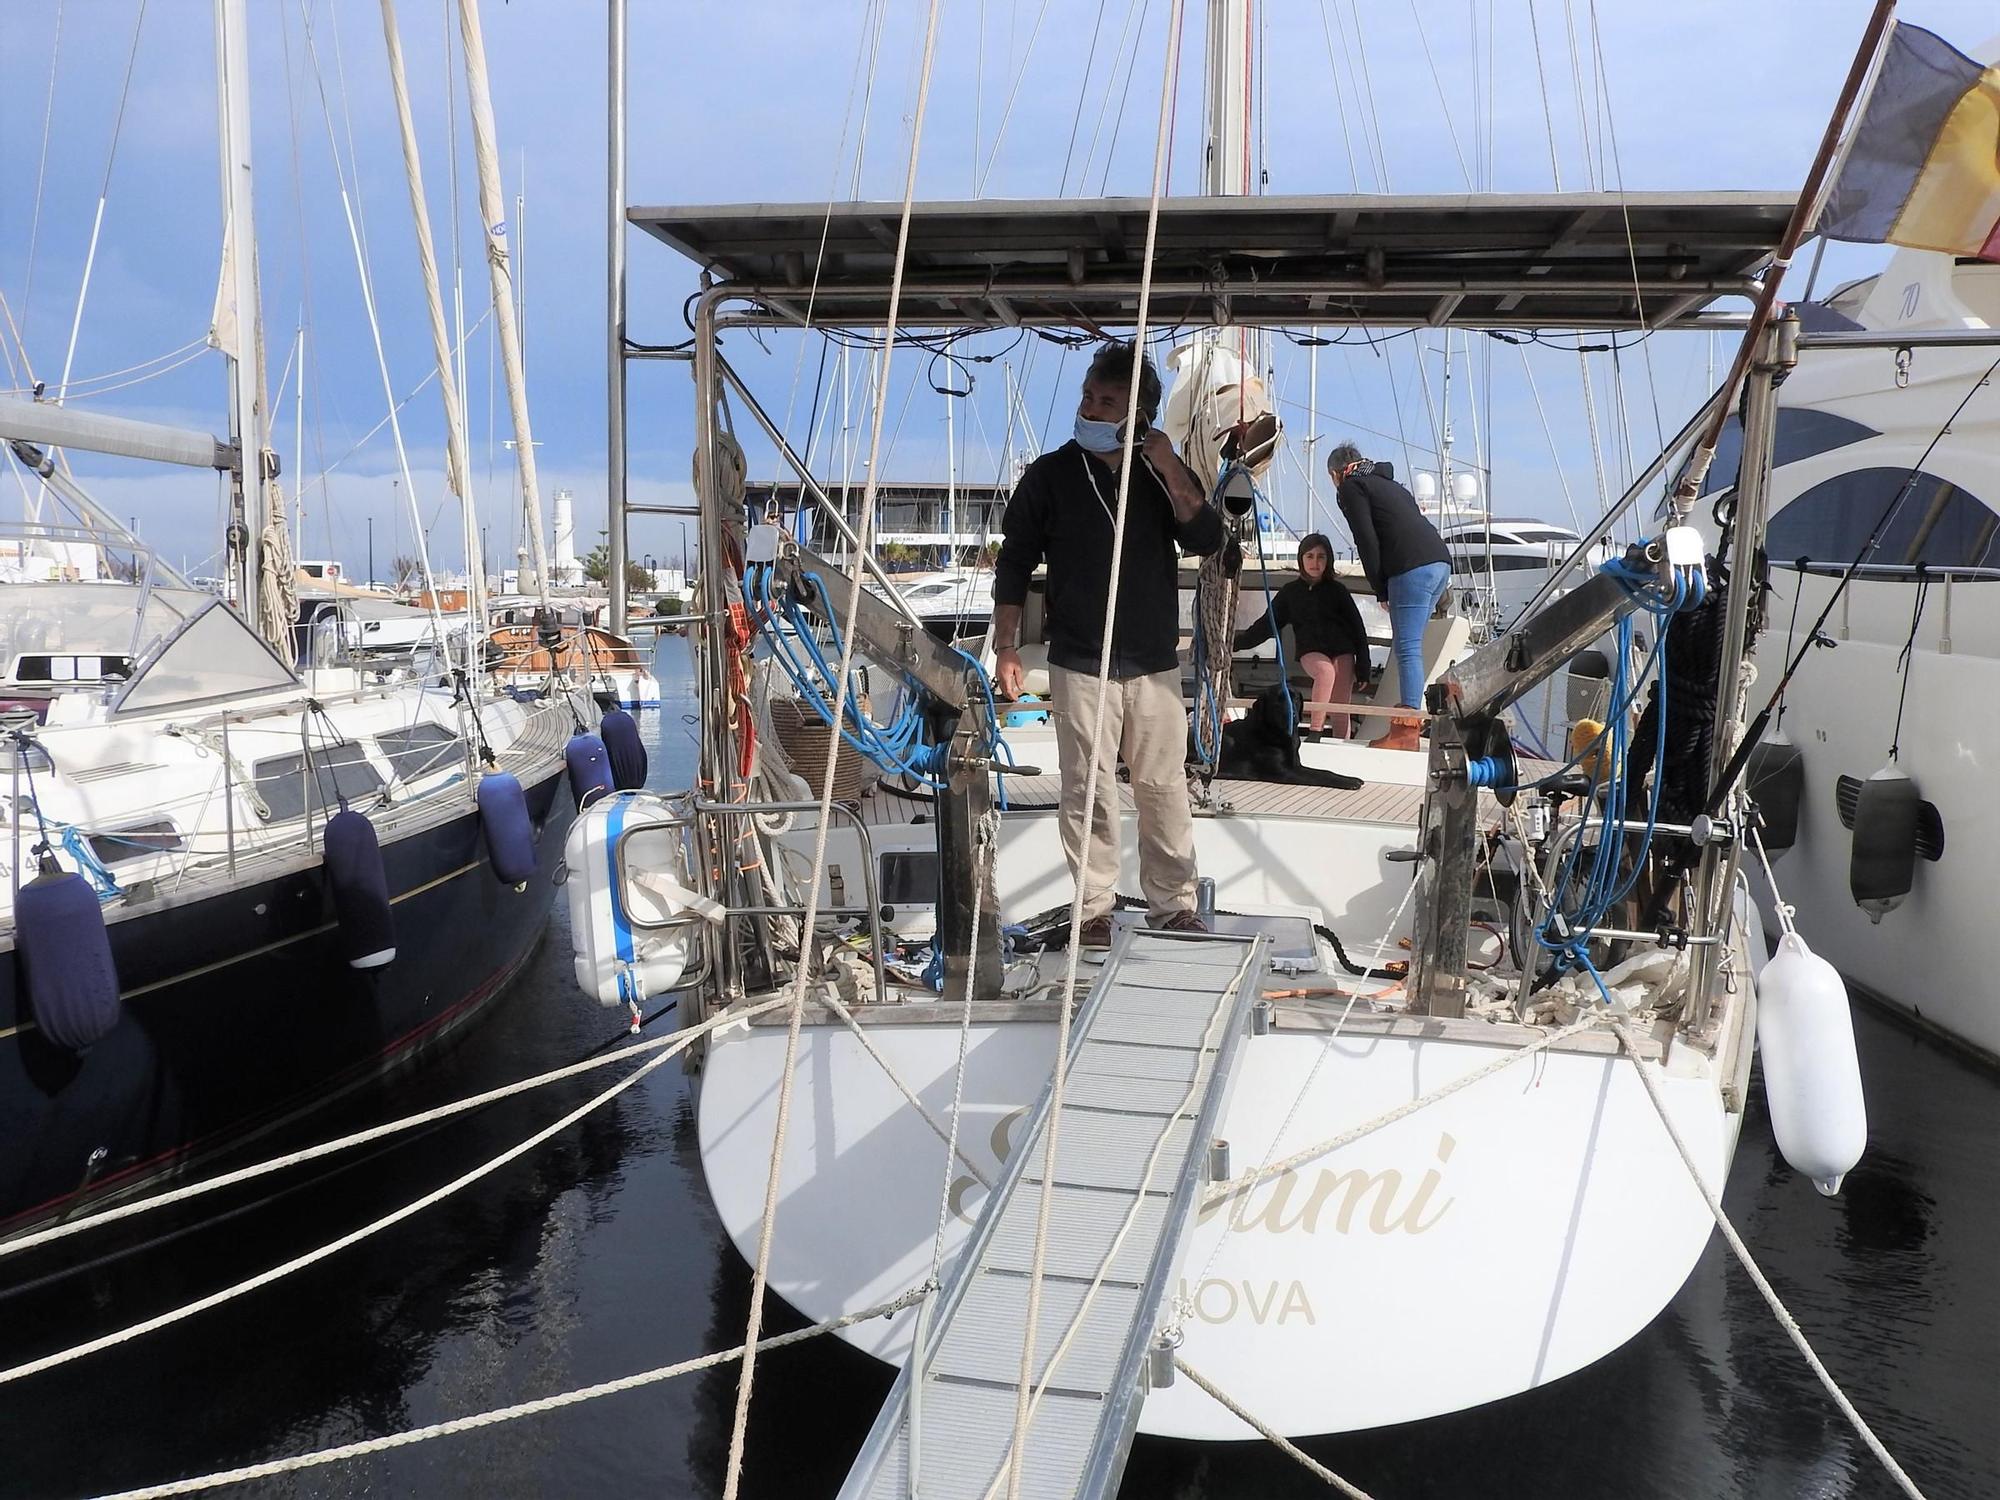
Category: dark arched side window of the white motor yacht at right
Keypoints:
(1937, 523)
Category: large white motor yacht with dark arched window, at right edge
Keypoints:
(1925, 413)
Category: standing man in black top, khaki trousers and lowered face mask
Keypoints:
(1063, 513)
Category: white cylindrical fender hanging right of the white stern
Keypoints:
(1813, 1077)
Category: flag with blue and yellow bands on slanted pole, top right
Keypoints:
(1925, 163)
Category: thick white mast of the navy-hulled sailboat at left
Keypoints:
(237, 331)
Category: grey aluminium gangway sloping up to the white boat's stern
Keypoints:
(1151, 1063)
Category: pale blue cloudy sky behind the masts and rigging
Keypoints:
(763, 101)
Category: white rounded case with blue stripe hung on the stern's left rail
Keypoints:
(627, 925)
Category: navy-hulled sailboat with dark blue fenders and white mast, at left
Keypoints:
(297, 871)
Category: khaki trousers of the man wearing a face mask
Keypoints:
(1141, 719)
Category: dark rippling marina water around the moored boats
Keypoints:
(597, 1255)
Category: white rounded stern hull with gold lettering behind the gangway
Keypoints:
(1483, 1247)
